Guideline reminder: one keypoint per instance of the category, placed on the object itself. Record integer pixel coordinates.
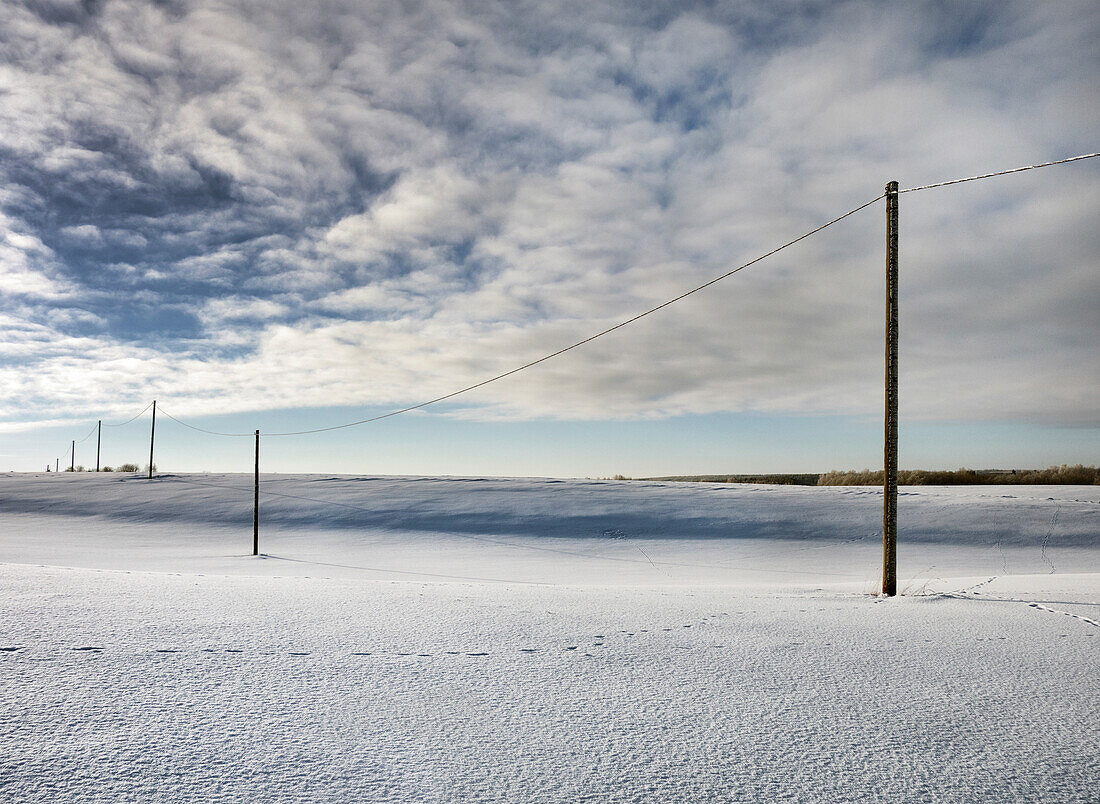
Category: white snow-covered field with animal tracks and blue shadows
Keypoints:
(406, 640)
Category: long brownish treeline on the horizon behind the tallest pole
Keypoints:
(1053, 476)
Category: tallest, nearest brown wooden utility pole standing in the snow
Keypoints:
(890, 476)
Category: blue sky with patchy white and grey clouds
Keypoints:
(290, 216)
